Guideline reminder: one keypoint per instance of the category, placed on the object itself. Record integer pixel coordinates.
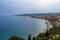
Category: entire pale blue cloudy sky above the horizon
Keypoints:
(29, 6)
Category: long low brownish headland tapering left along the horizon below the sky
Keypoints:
(42, 15)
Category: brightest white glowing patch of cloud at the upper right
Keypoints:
(46, 2)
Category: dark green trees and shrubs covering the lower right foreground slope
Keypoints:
(53, 34)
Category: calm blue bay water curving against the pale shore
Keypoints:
(20, 26)
